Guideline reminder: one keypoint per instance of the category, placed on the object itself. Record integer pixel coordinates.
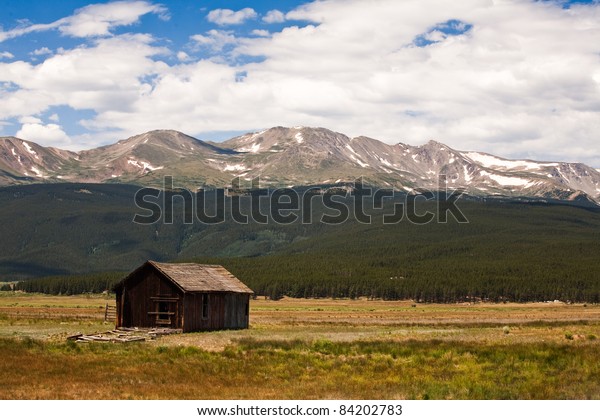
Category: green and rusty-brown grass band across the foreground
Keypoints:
(297, 369)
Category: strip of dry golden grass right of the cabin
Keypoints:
(345, 320)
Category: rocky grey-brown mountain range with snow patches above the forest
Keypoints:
(296, 156)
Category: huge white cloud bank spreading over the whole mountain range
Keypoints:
(515, 78)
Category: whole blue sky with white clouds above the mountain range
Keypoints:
(516, 78)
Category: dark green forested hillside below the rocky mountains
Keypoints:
(508, 250)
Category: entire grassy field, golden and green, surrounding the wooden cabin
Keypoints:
(308, 349)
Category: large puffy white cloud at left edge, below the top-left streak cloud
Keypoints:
(111, 74)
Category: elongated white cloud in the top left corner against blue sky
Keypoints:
(93, 20)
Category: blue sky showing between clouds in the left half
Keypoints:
(171, 26)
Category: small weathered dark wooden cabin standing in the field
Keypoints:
(192, 297)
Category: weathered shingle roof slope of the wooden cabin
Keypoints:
(192, 277)
